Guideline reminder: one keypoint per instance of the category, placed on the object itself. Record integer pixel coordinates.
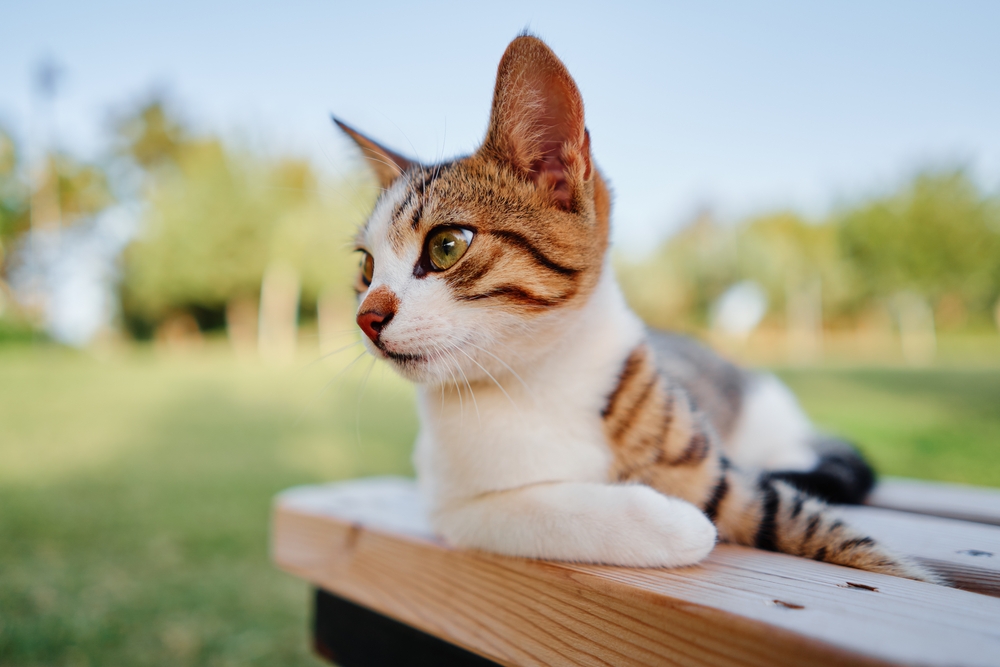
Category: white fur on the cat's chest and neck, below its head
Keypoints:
(543, 426)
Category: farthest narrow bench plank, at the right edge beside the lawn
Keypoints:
(954, 501)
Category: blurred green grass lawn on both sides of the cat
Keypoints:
(135, 490)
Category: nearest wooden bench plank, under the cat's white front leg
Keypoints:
(368, 542)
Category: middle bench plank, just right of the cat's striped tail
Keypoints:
(968, 554)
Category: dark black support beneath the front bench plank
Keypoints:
(352, 636)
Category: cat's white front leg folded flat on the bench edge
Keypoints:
(585, 522)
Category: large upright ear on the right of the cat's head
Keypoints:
(537, 123)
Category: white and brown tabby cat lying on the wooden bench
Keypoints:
(554, 424)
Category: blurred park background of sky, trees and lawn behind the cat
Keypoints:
(812, 189)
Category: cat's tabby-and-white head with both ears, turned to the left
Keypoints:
(470, 266)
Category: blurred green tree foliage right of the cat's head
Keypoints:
(937, 235)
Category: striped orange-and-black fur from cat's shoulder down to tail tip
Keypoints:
(660, 440)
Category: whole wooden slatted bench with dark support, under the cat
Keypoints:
(388, 592)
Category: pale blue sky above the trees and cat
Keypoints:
(740, 107)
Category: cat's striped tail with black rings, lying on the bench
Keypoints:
(767, 513)
